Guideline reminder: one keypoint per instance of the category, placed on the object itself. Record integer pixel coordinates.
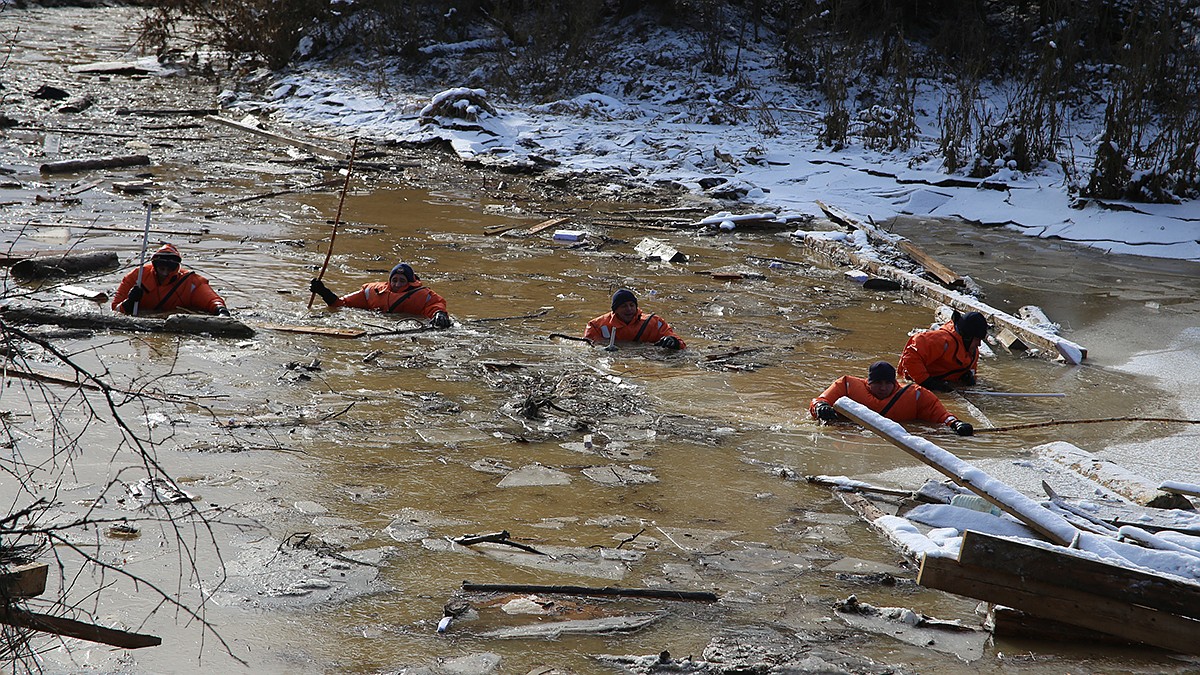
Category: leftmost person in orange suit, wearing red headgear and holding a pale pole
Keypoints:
(167, 286)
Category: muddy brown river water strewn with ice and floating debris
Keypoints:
(400, 441)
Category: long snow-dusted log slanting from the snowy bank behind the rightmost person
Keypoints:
(935, 295)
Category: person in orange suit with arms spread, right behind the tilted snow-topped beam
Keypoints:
(881, 393)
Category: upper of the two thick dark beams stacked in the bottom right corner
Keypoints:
(1060, 568)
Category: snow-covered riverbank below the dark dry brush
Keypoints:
(677, 124)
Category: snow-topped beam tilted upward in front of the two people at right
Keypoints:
(1033, 515)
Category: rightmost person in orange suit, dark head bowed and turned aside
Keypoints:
(939, 360)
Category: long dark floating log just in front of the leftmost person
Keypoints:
(215, 326)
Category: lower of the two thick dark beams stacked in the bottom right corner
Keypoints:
(1060, 604)
